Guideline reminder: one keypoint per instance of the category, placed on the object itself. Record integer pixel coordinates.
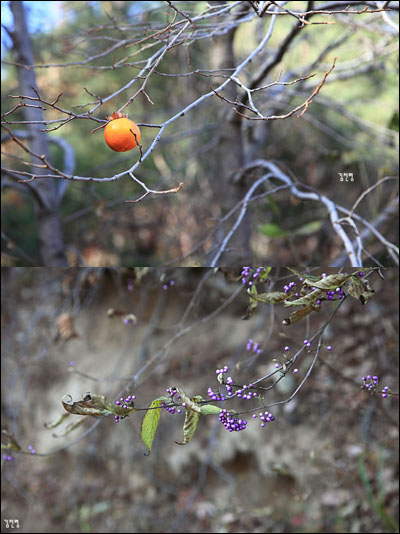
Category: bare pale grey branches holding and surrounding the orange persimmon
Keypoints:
(176, 32)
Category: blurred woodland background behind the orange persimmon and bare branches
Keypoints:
(91, 50)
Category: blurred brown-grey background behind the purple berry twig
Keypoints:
(328, 463)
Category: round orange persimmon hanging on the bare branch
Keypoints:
(121, 134)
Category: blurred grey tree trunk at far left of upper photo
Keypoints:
(46, 203)
